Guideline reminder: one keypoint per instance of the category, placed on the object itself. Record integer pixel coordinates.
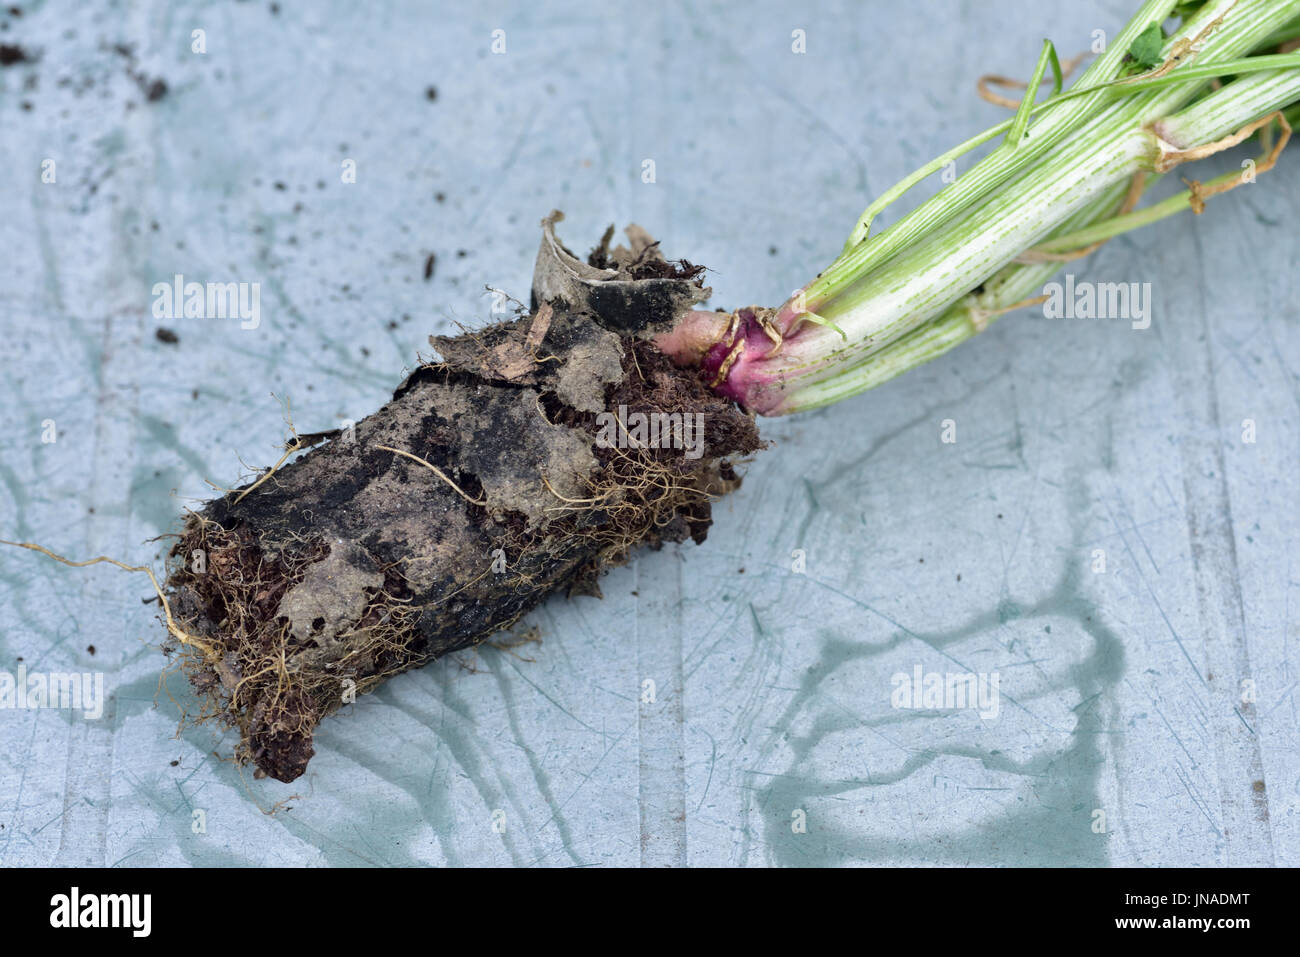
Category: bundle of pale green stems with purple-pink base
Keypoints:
(1065, 179)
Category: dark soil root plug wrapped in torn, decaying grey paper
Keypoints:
(440, 521)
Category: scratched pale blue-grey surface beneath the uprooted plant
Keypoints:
(1120, 690)
